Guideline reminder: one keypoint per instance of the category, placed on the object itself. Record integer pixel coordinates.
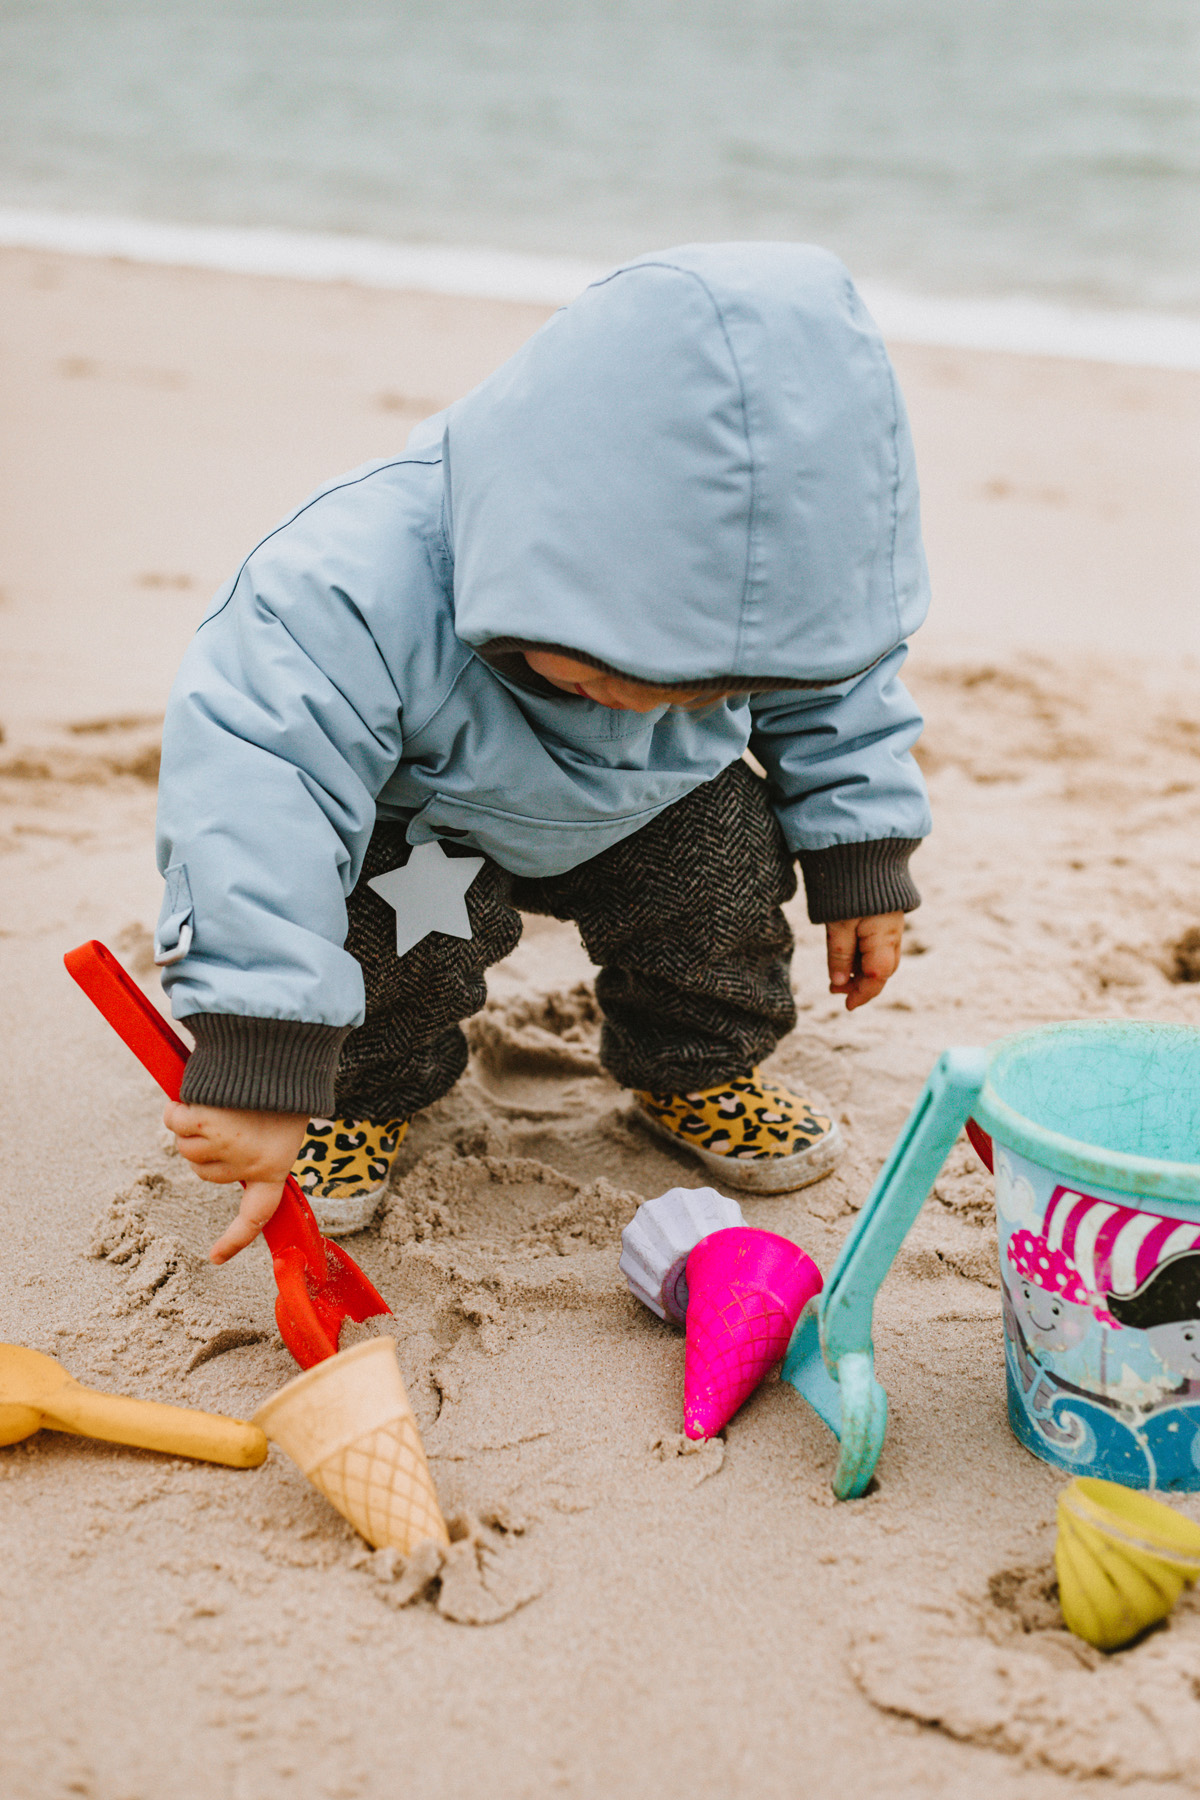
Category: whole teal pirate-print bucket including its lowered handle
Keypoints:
(1097, 1149)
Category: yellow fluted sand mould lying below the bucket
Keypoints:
(1124, 1560)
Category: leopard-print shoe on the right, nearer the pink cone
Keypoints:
(749, 1133)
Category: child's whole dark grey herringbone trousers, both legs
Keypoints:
(683, 919)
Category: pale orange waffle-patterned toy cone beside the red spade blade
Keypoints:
(348, 1426)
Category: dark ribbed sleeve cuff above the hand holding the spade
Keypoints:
(262, 1065)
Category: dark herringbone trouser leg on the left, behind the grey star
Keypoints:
(411, 1048)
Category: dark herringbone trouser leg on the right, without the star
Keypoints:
(685, 921)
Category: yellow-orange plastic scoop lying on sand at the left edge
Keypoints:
(39, 1394)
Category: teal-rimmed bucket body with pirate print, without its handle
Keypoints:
(1097, 1133)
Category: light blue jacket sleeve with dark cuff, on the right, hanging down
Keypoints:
(846, 789)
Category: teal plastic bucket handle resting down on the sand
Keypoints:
(830, 1360)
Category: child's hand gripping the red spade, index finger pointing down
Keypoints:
(253, 1147)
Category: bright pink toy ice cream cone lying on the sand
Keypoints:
(746, 1293)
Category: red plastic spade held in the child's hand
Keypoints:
(319, 1284)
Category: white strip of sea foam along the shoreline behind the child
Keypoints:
(1019, 325)
